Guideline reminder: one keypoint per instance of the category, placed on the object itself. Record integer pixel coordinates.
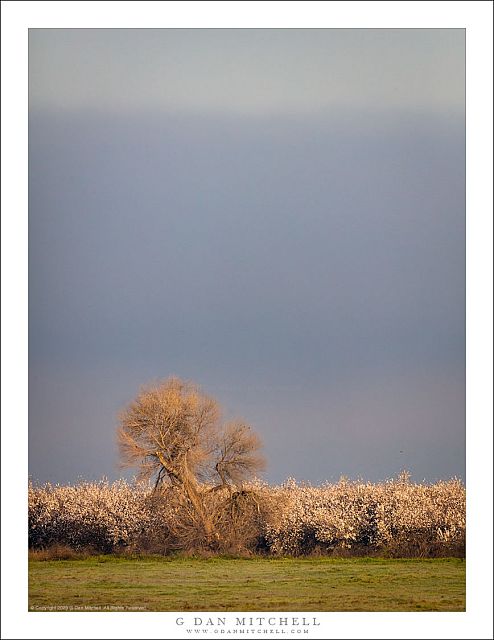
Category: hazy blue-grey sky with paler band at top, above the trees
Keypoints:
(278, 215)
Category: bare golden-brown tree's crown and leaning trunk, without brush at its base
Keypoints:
(172, 432)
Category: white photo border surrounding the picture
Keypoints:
(476, 18)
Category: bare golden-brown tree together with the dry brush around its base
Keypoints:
(174, 435)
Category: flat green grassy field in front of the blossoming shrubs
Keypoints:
(219, 584)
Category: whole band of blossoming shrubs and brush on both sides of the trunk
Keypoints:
(289, 519)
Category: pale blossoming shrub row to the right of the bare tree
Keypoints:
(348, 514)
